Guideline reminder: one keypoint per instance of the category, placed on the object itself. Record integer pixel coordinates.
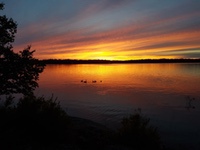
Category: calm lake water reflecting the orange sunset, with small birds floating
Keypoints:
(113, 91)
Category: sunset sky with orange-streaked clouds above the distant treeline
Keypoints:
(107, 29)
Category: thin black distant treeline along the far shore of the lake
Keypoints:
(76, 61)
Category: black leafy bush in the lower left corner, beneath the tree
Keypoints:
(33, 123)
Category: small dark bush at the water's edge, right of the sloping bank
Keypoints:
(136, 133)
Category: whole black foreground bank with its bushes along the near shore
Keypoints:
(36, 123)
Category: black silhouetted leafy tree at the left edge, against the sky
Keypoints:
(19, 72)
